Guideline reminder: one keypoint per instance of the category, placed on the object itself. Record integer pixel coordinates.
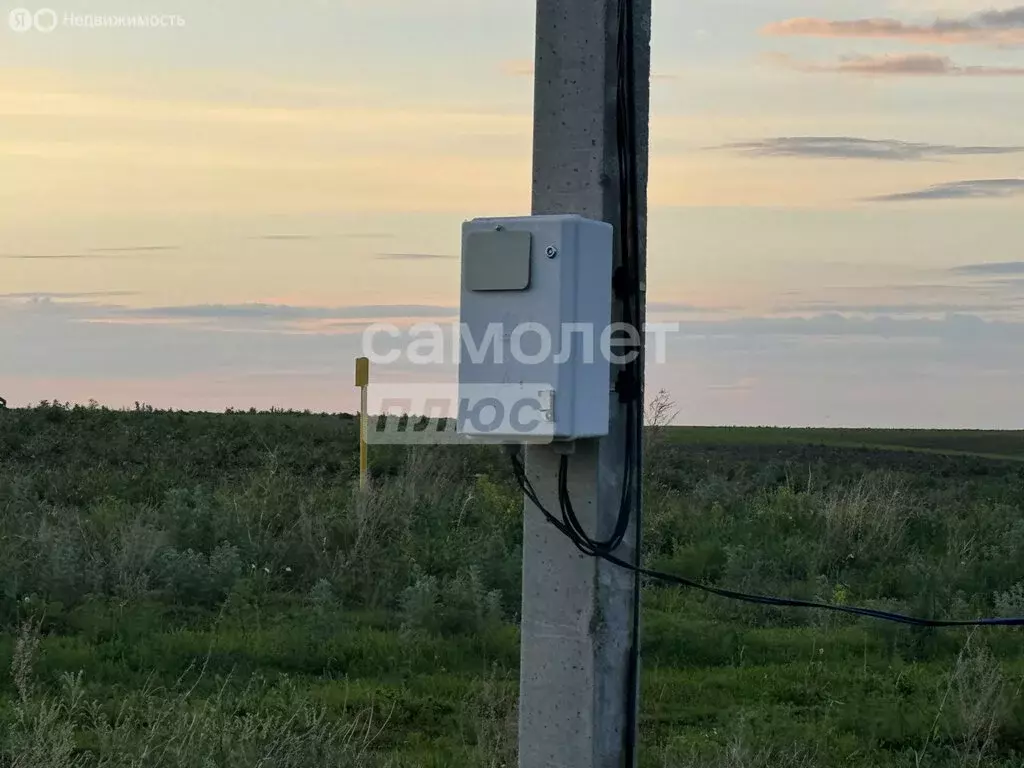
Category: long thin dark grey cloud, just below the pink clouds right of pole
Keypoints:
(848, 148)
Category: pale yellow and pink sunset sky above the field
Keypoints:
(210, 212)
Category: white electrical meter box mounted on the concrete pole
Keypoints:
(536, 307)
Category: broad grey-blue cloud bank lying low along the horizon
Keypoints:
(827, 370)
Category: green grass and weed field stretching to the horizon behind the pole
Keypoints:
(207, 590)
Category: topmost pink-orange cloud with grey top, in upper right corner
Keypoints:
(999, 28)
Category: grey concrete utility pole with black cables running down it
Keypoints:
(577, 612)
